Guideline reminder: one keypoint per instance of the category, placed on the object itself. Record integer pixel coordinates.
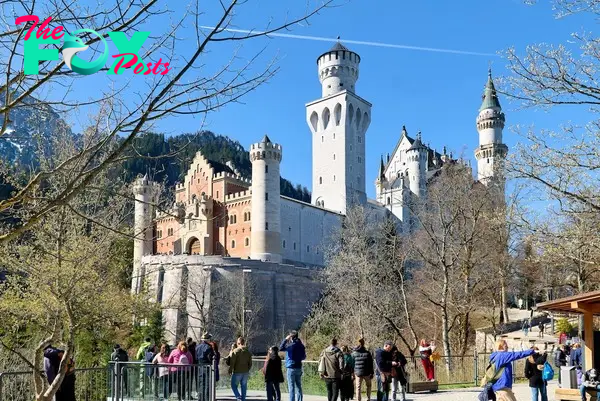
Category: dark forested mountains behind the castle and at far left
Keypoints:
(31, 130)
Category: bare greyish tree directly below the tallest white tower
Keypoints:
(365, 281)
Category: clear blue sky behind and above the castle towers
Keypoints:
(437, 93)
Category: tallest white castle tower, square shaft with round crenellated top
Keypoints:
(338, 122)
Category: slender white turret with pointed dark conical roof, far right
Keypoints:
(491, 152)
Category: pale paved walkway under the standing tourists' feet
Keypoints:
(522, 392)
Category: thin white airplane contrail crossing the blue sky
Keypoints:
(356, 42)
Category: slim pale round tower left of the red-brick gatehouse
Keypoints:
(146, 193)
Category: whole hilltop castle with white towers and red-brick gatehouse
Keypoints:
(222, 222)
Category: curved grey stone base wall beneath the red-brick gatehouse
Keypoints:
(190, 287)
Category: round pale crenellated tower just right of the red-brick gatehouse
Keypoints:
(266, 201)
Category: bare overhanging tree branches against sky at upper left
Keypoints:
(199, 81)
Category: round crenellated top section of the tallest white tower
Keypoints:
(338, 69)
